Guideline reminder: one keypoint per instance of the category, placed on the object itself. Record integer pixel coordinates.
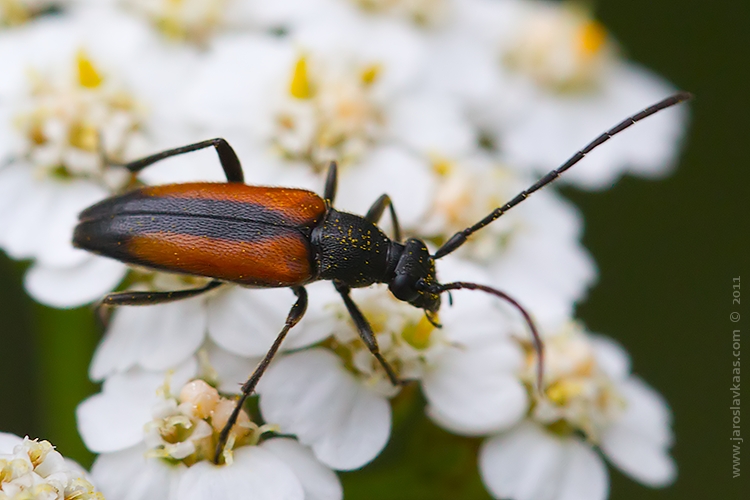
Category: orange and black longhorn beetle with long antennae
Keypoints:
(266, 237)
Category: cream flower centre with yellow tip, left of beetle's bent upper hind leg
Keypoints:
(74, 127)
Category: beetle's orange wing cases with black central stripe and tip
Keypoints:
(254, 236)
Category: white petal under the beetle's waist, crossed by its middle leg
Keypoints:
(246, 322)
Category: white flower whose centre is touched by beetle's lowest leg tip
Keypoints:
(157, 441)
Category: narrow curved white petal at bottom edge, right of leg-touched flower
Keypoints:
(318, 481)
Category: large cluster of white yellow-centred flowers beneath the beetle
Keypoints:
(451, 108)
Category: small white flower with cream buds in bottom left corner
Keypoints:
(34, 469)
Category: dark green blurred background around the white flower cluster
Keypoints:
(667, 252)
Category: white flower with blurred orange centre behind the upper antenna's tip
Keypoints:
(544, 79)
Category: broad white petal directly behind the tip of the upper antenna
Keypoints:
(647, 149)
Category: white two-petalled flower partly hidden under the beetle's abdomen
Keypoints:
(240, 320)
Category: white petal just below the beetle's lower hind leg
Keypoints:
(154, 337)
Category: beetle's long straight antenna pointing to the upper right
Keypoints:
(460, 237)
